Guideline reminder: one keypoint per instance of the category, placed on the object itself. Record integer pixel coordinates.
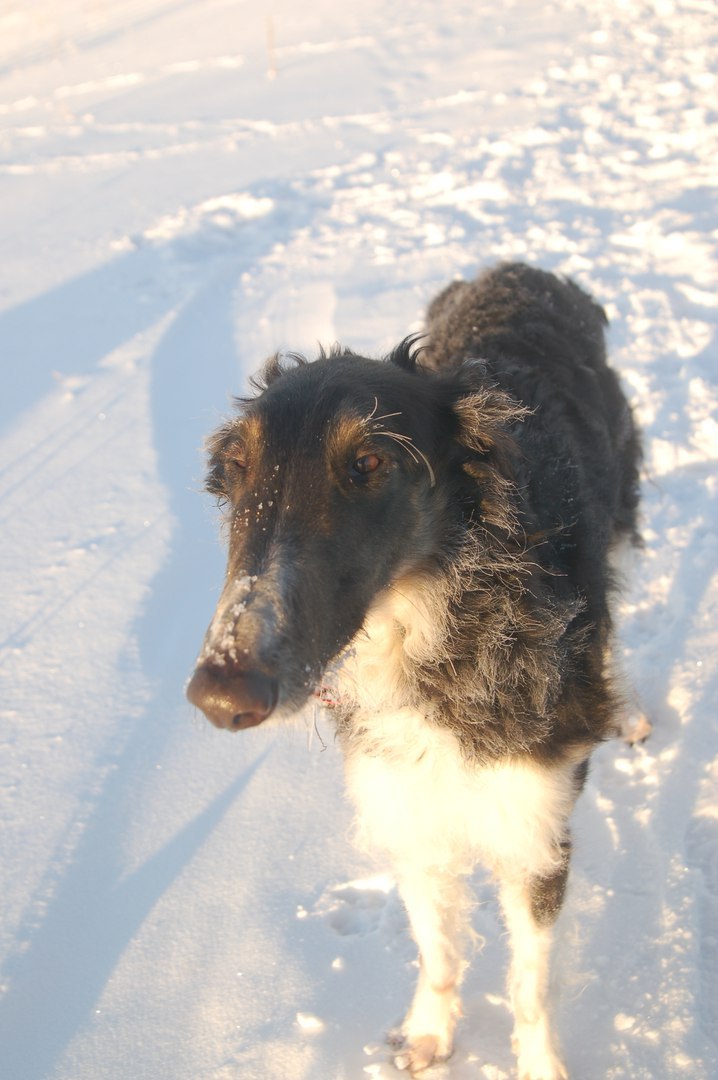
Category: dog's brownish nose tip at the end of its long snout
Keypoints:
(234, 700)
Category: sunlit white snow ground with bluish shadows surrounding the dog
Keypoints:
(185, 188)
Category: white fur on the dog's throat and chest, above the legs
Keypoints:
(417, 796)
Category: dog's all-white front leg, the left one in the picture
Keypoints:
(437, 903)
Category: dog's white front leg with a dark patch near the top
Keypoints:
(531, 910)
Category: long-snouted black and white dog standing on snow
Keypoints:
(425, 544)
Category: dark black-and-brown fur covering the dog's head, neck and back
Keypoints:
(508, 466)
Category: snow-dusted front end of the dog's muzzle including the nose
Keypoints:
(228, 686)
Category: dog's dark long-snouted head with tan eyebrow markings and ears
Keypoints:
(338, 479)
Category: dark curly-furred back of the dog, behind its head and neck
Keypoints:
(543, 340)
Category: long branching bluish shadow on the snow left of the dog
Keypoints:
(70, 944)
